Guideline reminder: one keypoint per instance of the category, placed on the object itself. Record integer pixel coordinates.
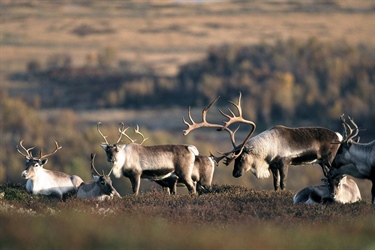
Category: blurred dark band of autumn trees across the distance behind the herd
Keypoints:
(286, 80)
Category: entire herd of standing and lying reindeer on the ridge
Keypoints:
(269, 153)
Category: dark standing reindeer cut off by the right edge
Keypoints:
(353, 158)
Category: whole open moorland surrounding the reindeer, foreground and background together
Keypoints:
(59, 76)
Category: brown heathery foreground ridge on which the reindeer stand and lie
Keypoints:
(231, 217)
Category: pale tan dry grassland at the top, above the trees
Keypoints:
(168, 35)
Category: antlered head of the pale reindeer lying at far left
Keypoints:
(34, 164)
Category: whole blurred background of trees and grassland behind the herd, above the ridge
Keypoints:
(66, 65)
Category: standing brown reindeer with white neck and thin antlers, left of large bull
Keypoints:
(150, 162)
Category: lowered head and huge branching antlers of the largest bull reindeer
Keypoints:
(241, 153)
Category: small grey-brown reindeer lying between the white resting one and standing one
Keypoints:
(100, 188)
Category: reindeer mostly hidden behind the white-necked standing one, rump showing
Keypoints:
(202, 175)
